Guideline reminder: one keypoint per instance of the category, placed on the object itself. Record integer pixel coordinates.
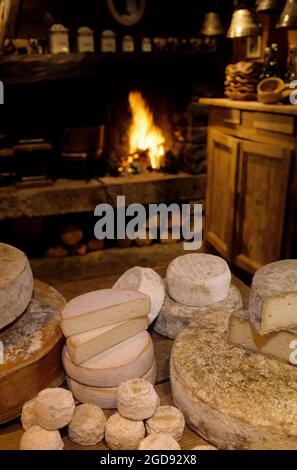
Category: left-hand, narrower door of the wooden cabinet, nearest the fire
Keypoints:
(223, 154)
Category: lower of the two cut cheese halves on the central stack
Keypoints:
(83, 347)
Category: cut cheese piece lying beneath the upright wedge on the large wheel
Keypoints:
(278, 344)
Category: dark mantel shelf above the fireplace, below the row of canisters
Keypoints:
(29, 69)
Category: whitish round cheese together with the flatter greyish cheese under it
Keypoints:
(197, 284)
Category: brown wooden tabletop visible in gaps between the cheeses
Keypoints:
(11, 433)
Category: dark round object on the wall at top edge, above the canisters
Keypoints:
(127, 12)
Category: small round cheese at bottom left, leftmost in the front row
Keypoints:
(37, 438)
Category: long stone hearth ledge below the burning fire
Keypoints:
(69, 196)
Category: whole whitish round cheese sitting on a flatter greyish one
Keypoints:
(198, 279)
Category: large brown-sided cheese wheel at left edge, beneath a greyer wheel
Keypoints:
(32, 352)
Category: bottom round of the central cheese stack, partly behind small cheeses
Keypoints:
(105, 398)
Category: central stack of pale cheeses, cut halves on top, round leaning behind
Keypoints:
(107, 342)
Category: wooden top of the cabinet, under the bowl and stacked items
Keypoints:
(250, 106)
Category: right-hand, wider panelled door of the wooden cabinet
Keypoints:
(262, 191)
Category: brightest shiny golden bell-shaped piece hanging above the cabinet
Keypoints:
(243, 24)
